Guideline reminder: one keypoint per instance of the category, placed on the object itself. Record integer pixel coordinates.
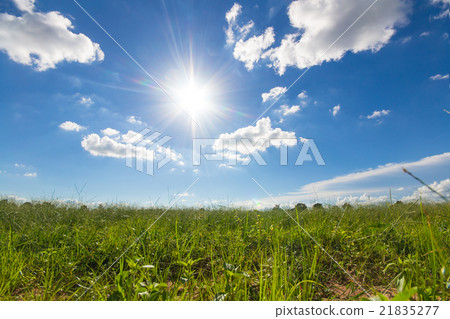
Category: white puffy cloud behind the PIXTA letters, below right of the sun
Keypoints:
(262, 132)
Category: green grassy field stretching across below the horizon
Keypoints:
(56, 253)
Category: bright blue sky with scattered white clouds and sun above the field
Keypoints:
(372, 95)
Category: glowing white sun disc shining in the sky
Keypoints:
(195, 99)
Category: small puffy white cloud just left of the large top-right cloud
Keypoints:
(250, 51)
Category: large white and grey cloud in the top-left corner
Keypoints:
(42, 40)
